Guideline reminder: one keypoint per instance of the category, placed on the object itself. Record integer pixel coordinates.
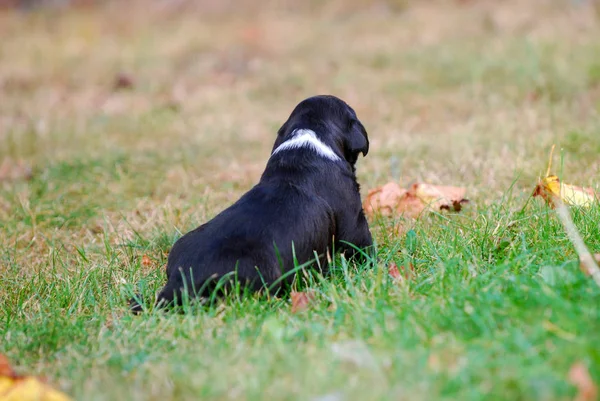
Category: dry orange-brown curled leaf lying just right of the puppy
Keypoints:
(391, 198)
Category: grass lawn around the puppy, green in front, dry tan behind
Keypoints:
(468, 93)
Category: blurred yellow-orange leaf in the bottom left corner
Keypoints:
(14, 387)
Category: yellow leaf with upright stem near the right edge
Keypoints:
(551, 189)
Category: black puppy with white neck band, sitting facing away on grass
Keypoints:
(306, 205)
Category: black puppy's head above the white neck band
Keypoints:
(334, 122)
